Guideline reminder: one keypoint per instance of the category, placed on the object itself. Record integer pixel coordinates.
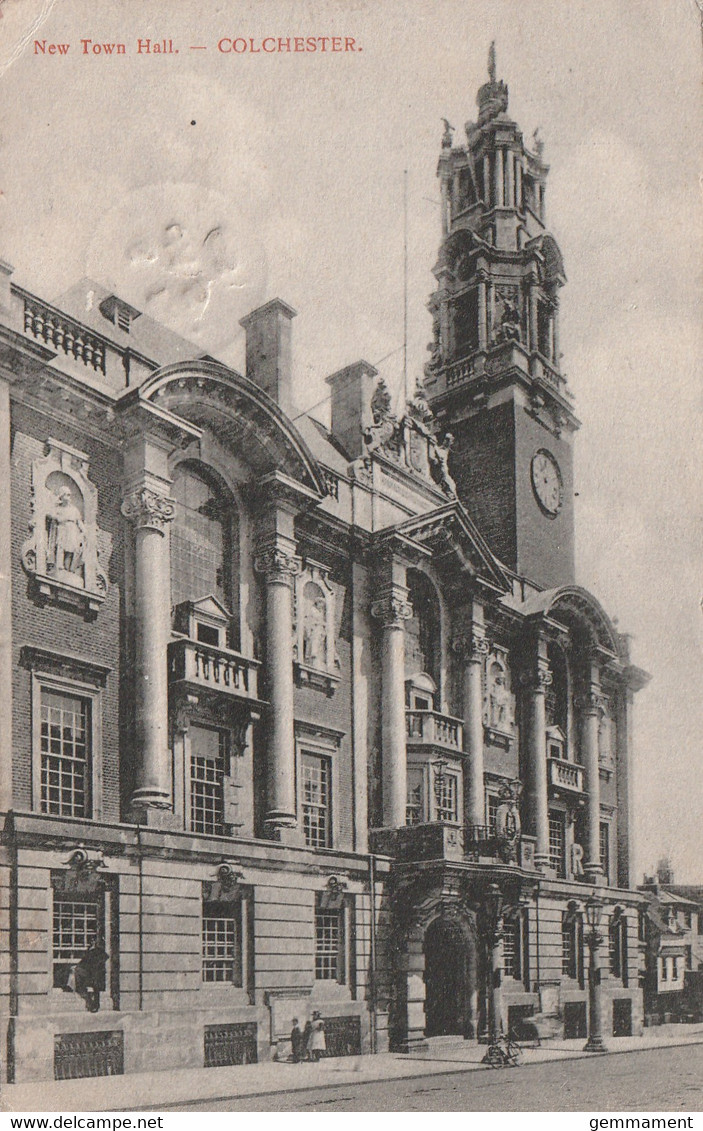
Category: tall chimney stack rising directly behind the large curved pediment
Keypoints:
(270, 359)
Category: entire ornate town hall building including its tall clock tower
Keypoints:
(287, 709)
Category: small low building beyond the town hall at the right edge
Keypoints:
(672, 933)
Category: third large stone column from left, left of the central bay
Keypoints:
(393, 610)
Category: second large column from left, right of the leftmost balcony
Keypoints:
(280, 565)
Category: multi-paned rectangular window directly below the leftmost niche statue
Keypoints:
(66, 754)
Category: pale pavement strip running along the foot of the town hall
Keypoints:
(167, 1091)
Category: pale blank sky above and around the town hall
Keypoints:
(201, 184)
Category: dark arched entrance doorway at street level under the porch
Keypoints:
(450, 979)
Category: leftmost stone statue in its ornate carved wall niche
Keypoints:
(62, 555)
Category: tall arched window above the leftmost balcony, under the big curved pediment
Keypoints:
(202, 539)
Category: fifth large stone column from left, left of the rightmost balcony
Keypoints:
(537, 681)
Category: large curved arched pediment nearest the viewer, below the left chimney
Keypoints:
(242, 417)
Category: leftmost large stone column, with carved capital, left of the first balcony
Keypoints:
(151, 512)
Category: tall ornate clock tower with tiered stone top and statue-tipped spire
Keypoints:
(494, 376)
